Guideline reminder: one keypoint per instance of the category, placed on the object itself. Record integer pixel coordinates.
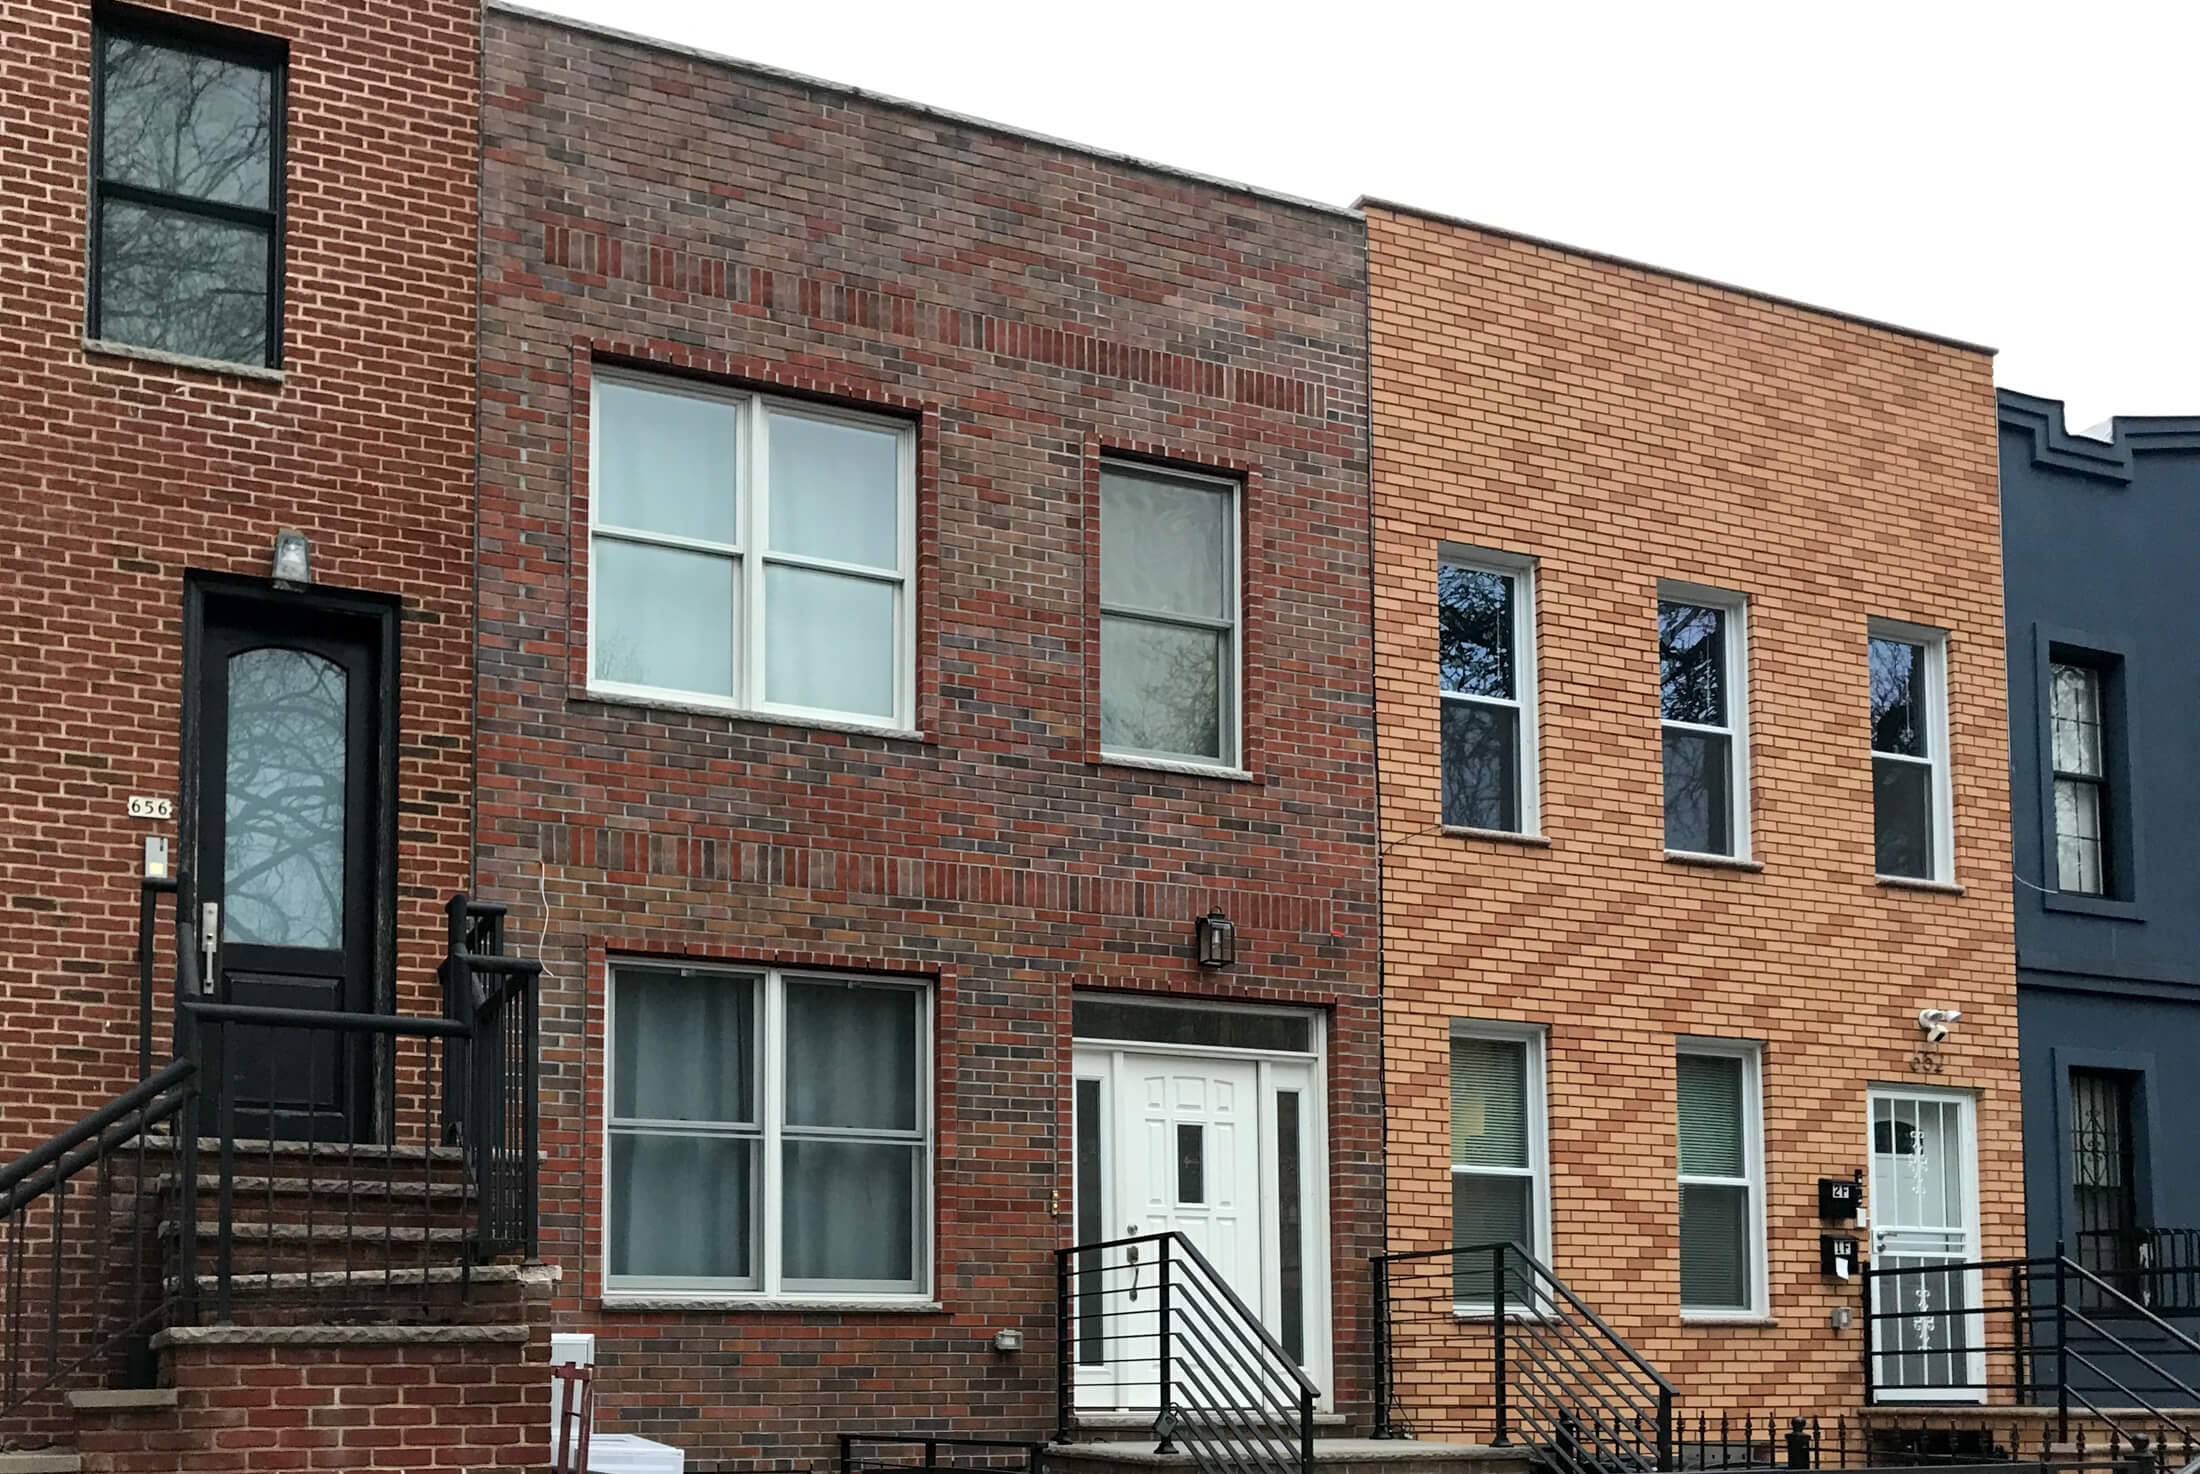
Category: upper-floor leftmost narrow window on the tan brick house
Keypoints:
(1486, 676)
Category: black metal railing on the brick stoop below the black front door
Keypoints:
(338, 1158)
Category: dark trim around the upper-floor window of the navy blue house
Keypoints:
(2120, 758)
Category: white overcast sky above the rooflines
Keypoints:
(2016, 175)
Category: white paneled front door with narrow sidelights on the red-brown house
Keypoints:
(1218, 1149)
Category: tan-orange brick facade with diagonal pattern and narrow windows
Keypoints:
(1620, 428)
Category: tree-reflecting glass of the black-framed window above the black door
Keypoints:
(197, 131)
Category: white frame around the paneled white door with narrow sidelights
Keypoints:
(1275, 1070)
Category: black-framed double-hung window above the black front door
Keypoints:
(186, 217)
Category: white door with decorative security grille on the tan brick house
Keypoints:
(1924, 1213)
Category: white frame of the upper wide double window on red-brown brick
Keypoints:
(749, 553)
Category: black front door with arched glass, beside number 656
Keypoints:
(289, 773)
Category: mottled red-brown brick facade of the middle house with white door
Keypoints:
(1026, 307)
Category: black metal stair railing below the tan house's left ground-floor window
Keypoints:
(1484, 1341)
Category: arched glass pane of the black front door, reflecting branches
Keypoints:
(285, 813)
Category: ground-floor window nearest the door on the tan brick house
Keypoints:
(1719, 1182)
